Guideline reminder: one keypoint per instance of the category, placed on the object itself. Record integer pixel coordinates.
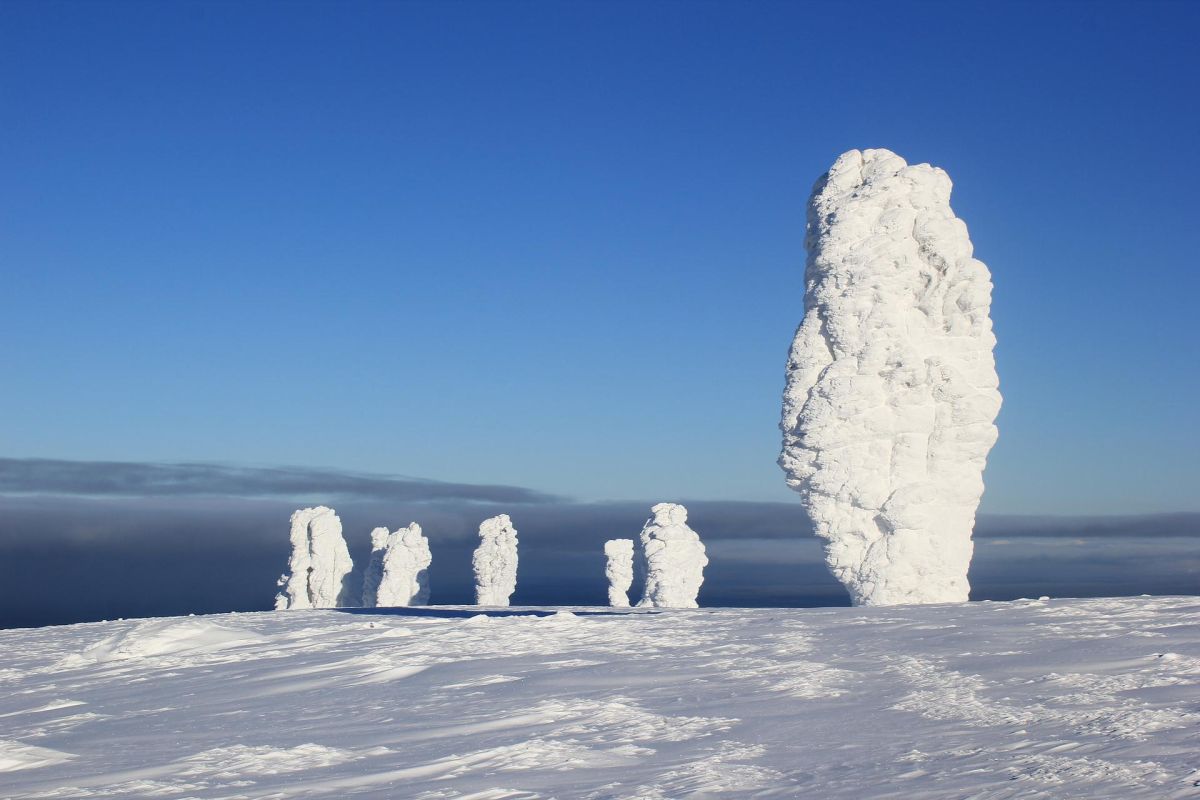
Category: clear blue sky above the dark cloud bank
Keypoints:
(560, 245)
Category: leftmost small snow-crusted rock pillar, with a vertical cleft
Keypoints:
(320, 563)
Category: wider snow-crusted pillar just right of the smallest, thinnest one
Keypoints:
(675, 560)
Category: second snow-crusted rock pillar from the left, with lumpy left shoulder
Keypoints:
(399, 570)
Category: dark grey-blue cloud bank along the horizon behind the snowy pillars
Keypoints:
(81, 556)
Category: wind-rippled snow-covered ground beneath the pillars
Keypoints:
(1097, 699)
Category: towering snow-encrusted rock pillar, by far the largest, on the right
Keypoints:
(892, 387)
